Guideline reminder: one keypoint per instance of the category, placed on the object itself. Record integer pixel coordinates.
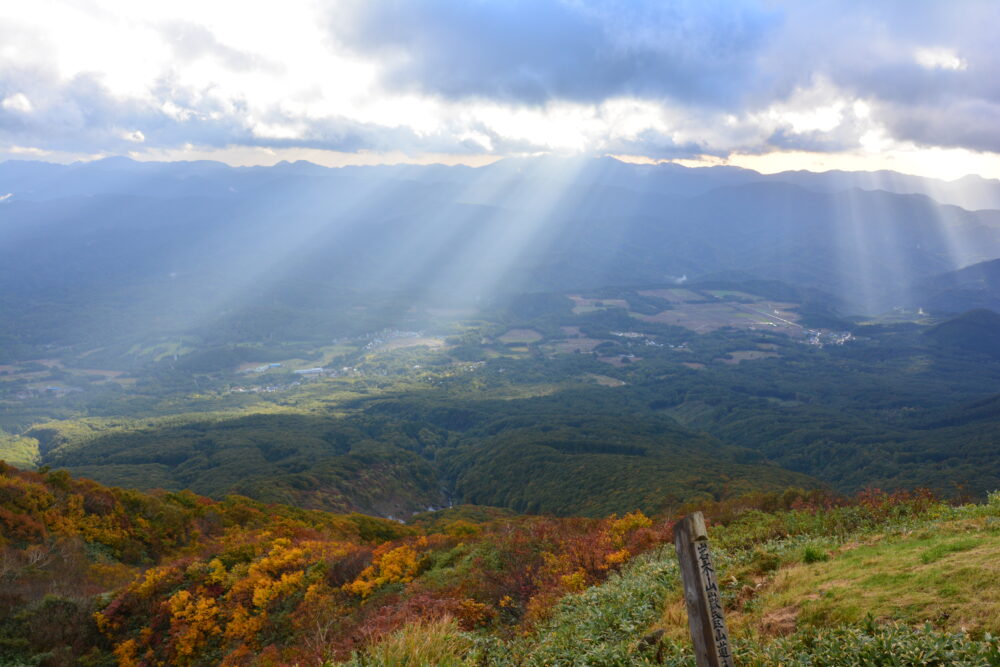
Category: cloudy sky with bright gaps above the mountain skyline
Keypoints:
(912, 86)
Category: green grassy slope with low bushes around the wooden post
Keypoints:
(847, 586)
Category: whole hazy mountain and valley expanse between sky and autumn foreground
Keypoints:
(569, 337)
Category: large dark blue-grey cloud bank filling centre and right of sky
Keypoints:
(737, 56)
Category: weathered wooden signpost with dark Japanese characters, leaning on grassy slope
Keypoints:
(701, 593)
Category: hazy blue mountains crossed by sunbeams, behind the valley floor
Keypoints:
(117, 245)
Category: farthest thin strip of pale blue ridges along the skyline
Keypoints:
(118, 175)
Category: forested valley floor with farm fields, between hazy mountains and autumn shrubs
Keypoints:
(724, 391)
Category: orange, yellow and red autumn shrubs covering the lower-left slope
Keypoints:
(196, 581)
